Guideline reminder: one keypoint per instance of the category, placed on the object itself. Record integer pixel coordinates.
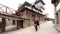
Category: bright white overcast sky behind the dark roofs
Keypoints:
(49, 8)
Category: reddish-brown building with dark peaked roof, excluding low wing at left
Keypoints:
(27, 12)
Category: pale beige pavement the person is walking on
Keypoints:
(45, 28)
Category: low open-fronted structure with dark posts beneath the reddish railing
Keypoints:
(7, 21)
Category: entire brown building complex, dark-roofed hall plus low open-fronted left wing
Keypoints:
(23, 17)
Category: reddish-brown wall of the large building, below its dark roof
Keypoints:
(29, 14)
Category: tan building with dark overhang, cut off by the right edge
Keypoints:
(57, 14)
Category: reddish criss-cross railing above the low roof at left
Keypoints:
(6, 10)
